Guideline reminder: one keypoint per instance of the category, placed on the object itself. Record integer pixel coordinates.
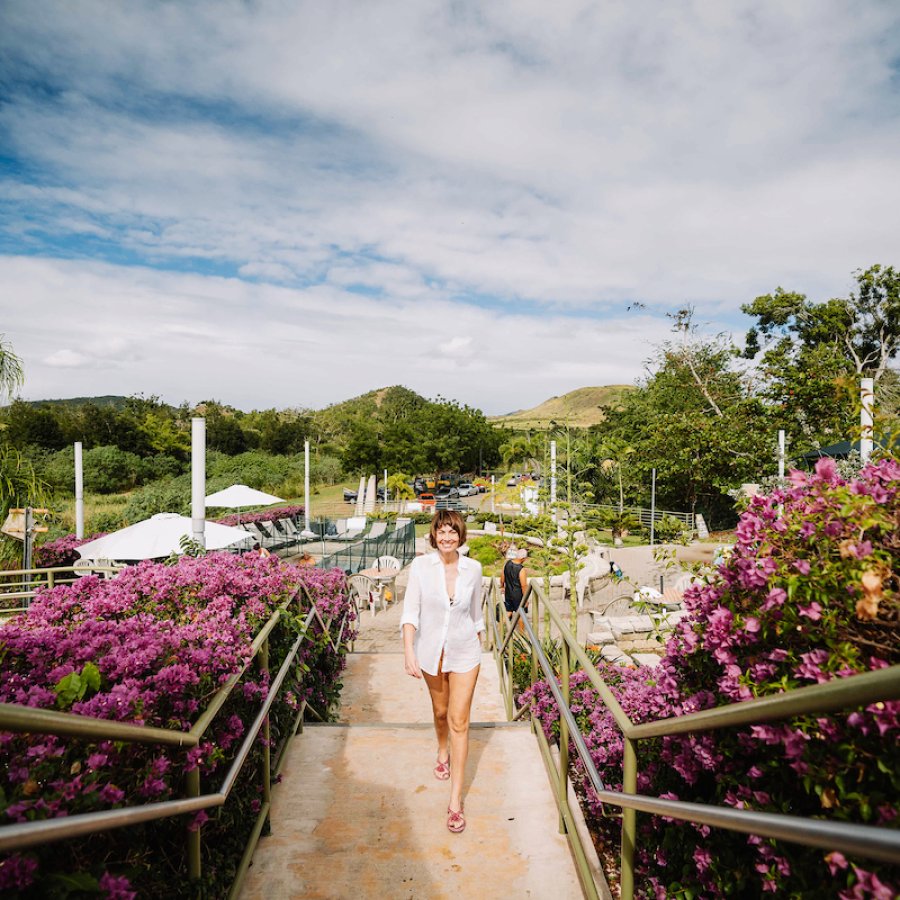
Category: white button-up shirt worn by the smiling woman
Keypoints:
(439, 626)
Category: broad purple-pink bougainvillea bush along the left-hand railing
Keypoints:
(152, 647)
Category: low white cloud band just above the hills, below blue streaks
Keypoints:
(186, 337)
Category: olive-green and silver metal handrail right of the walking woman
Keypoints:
(864, 840)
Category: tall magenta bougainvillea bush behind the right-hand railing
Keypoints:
(809, 594)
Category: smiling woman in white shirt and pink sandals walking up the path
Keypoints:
(442, 630)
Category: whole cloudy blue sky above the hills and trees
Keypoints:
(287, 204)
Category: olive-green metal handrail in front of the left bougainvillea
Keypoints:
(21, 835)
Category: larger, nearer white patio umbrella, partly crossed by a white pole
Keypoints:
(158, 536)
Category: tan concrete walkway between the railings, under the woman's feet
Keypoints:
(360, 814)
